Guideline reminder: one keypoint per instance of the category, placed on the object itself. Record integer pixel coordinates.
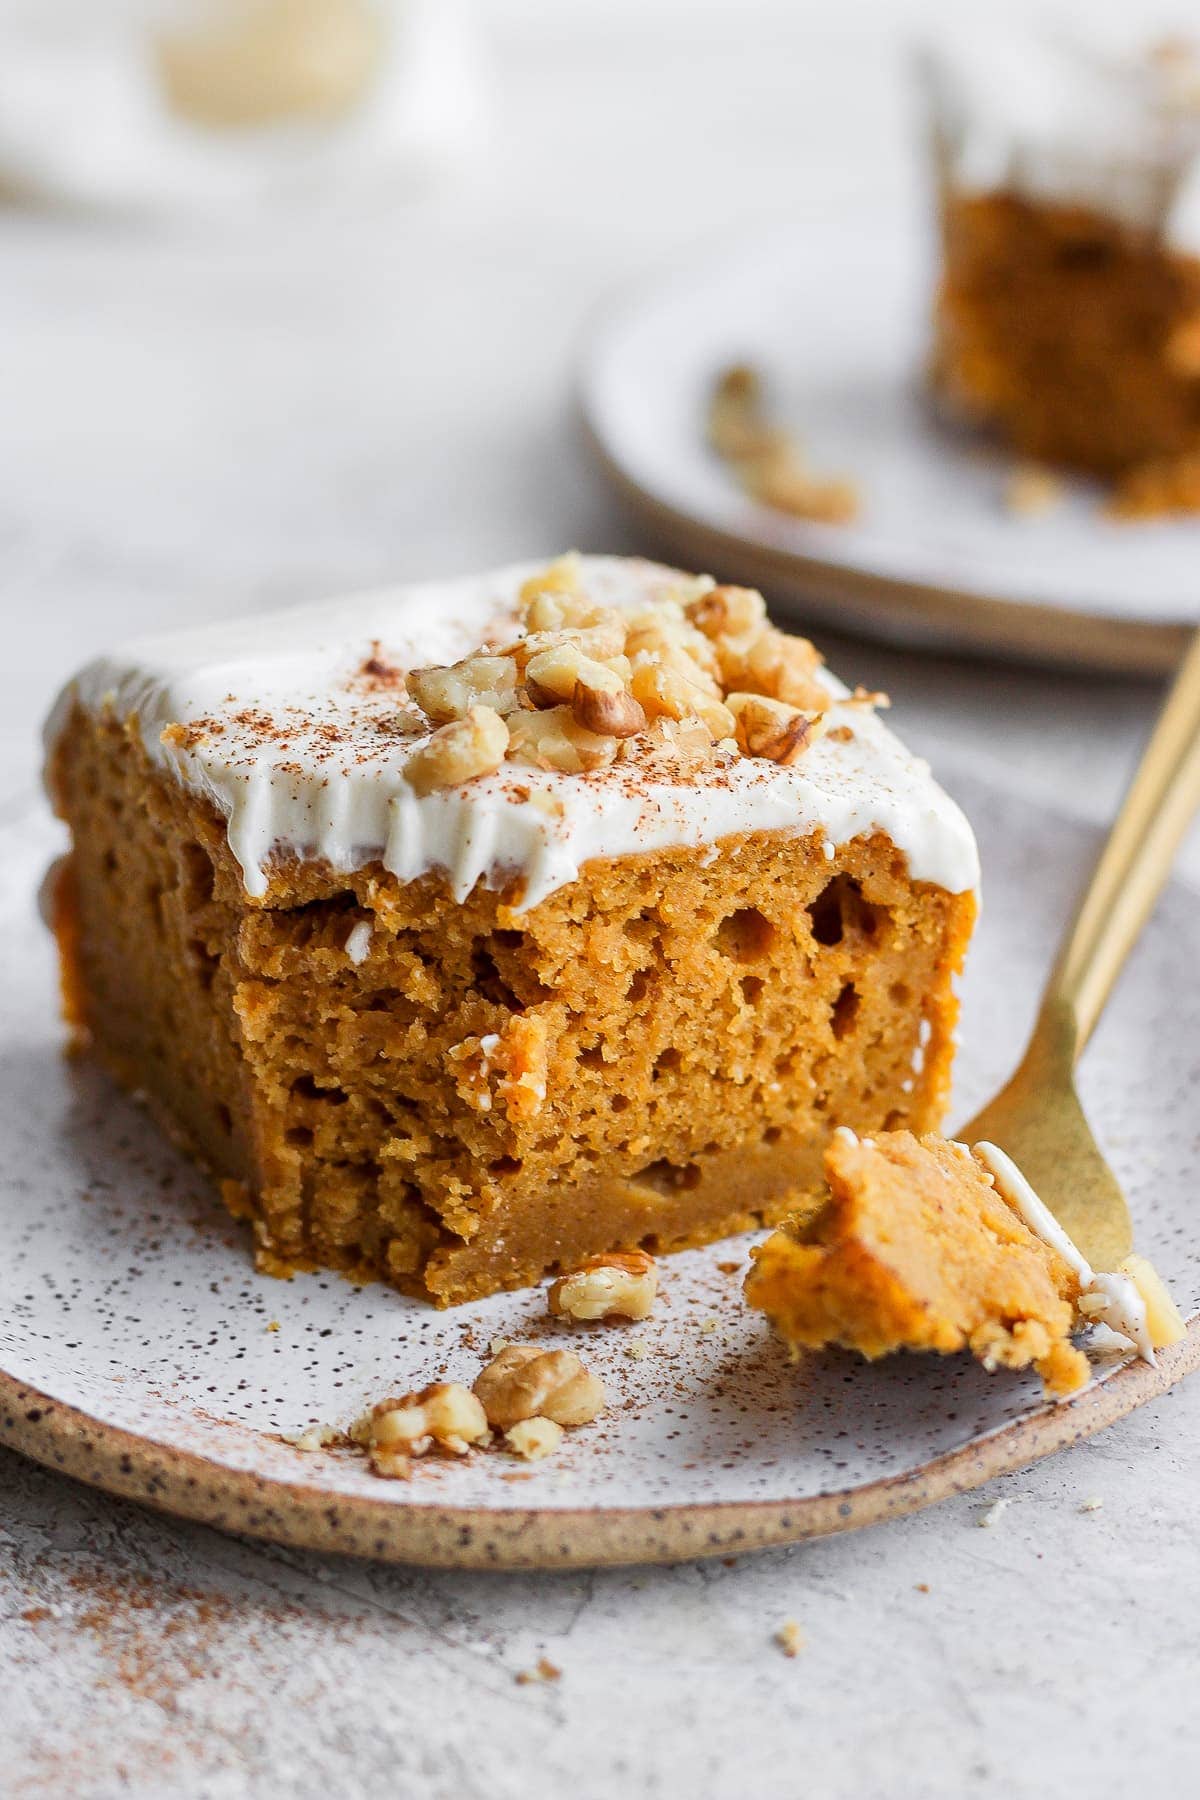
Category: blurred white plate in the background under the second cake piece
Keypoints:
(837, 321)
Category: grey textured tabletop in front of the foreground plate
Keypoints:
(1055, 1651)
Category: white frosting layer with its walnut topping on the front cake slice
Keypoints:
(305, 733)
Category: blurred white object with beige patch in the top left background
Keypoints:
(211, 105)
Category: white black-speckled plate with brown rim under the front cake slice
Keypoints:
(139, 1349)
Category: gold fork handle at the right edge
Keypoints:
(1133, 867)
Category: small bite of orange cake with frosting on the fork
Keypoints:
(924, 1245)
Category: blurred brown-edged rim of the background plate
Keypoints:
(839, 593)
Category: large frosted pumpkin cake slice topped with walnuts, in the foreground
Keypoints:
(469, 931)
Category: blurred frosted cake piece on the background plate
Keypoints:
(1068, 309)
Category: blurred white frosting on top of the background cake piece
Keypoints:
(1106, 123)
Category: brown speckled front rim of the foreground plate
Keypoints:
(188, 1486)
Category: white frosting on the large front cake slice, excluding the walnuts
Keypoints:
(296, 744)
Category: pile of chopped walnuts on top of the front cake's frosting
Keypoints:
(584, 685)
